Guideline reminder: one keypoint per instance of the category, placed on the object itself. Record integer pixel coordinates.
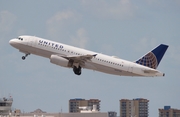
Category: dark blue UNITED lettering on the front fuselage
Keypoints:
(52, 44)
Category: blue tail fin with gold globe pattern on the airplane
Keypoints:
(153, 58)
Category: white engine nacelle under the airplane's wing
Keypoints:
(55, 59)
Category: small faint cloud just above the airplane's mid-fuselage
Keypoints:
(81, 39)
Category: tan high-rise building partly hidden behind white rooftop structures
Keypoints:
(74, 104)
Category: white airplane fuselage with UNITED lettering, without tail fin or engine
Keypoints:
(101, 62)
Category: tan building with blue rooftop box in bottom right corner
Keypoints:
(169, 112)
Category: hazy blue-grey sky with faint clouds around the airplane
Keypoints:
(124, 28)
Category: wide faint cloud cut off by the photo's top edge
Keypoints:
(122, 9)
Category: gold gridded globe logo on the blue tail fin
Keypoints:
(148, 60)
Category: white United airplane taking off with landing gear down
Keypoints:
(78, 58)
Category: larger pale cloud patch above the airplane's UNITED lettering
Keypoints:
(60, 23)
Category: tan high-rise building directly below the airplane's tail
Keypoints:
(134, 108)
